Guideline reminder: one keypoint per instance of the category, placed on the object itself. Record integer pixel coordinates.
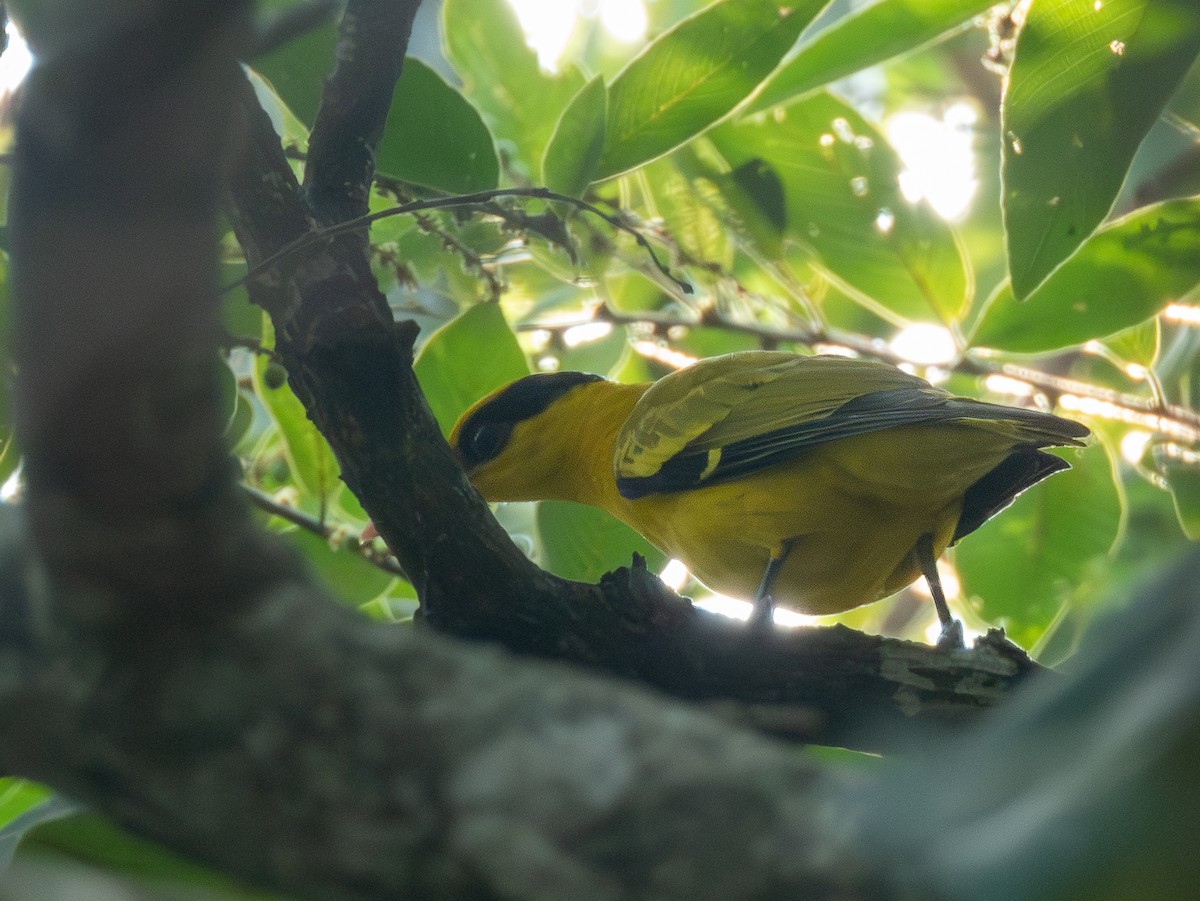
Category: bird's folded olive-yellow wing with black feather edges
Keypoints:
(733, 416)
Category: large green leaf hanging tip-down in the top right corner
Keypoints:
(1088, 83)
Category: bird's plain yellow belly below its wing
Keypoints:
(853, 512)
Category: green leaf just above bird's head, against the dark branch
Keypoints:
(466, 359)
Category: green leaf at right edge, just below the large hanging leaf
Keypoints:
(1125, 274)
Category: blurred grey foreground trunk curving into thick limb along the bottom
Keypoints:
(171, 666)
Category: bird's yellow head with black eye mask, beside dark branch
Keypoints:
(507, 446)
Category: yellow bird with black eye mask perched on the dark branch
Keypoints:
(821, 483)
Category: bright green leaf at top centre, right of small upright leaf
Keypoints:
(694, 75)
